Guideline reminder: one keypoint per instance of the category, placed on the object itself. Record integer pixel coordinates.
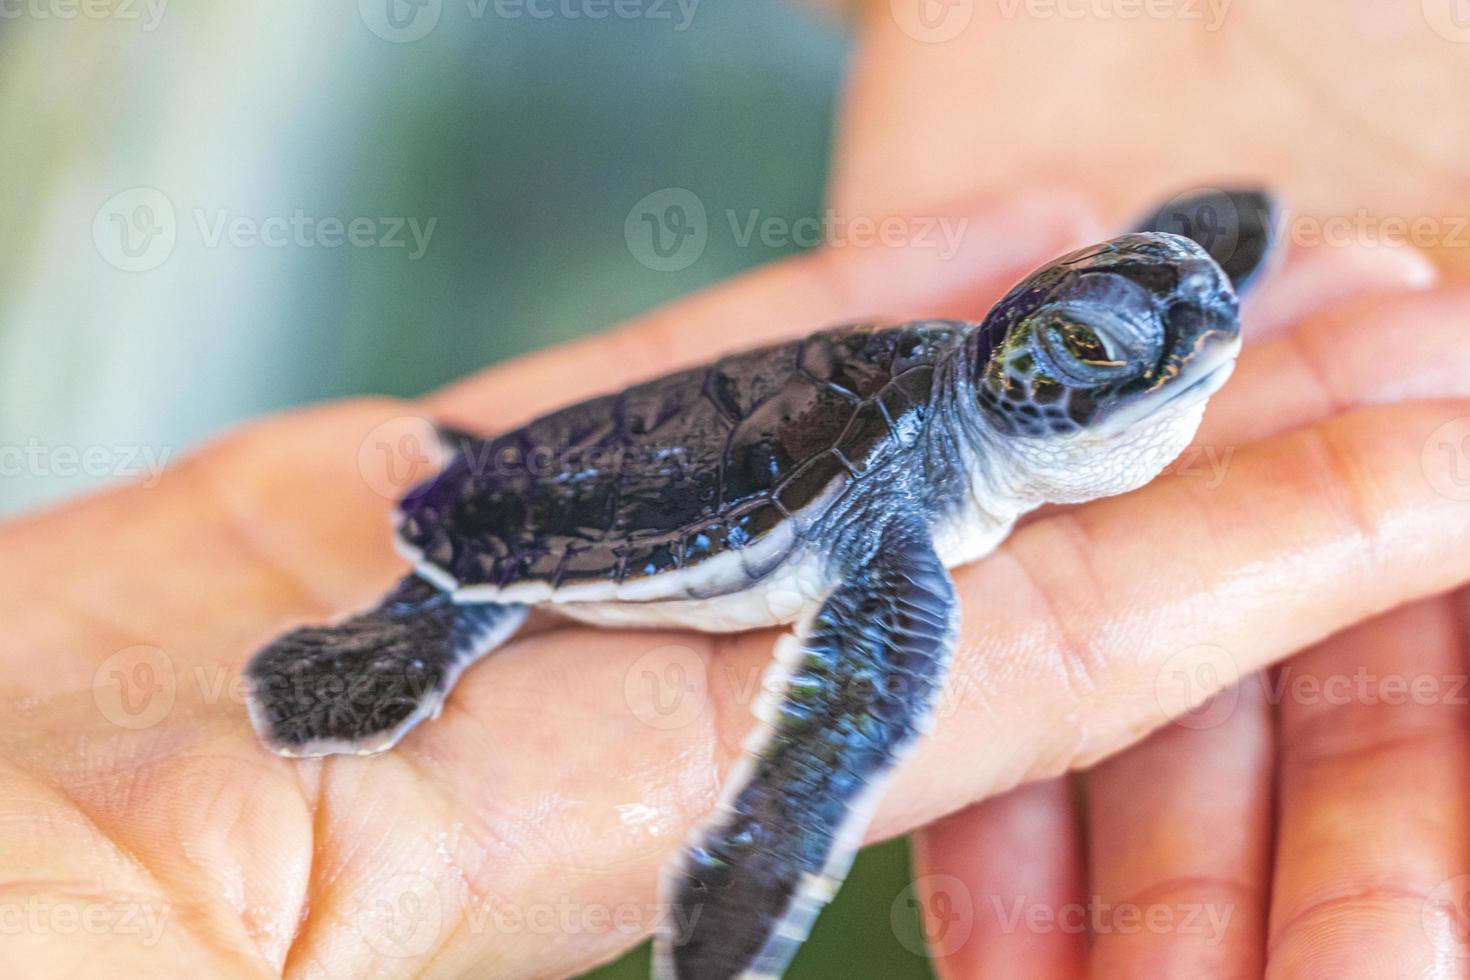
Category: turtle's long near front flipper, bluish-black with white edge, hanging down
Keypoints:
(865, 684)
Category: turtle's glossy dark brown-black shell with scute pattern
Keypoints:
(681, 469)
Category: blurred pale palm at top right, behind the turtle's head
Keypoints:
(1344, 109)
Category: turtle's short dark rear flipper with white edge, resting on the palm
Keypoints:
(361, 685)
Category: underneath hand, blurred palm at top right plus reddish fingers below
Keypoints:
(1187, 819)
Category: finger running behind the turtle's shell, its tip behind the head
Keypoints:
(994, 245)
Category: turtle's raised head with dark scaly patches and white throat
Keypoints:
(1097, 368)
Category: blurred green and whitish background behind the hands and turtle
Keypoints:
(176, 171)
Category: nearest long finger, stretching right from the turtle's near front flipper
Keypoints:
(1308, 534)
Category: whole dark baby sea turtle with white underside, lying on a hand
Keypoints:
(850, 469)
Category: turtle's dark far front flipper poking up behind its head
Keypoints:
(1236, 226)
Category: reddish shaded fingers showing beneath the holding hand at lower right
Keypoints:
(1306, 824)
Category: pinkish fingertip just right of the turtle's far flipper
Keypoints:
(1316, 278)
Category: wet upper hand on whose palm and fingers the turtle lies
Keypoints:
(523, 832)
